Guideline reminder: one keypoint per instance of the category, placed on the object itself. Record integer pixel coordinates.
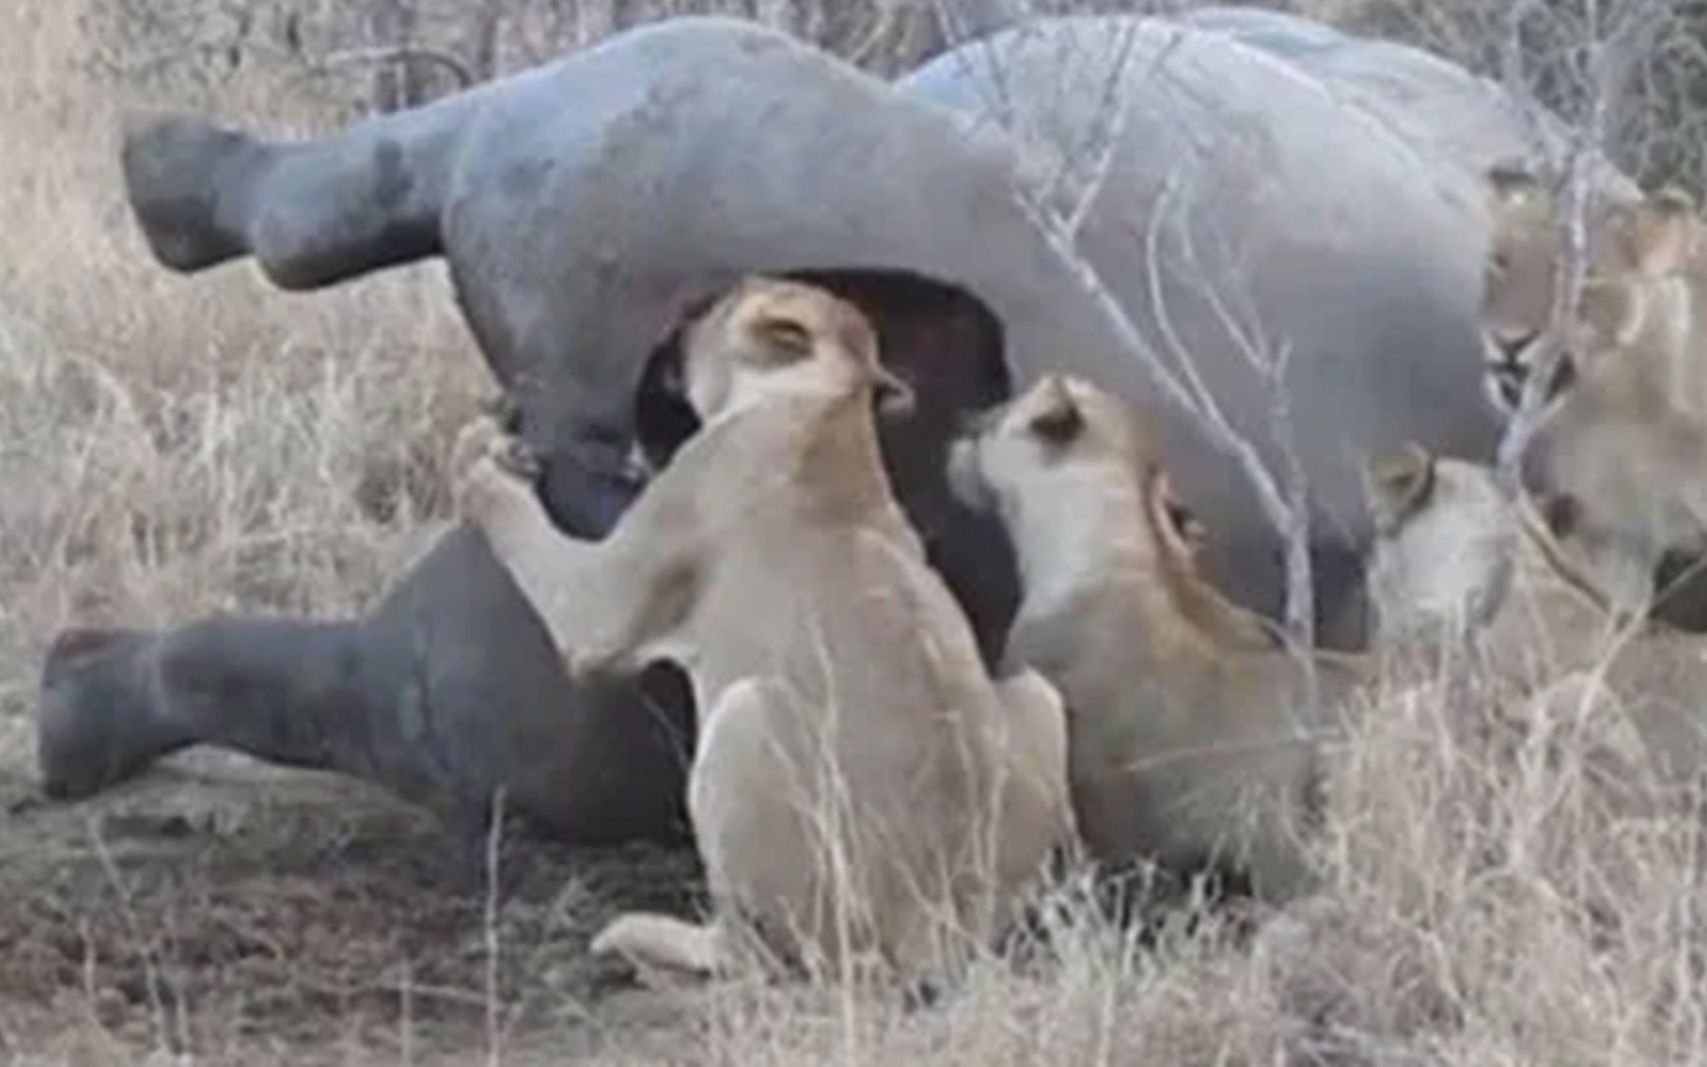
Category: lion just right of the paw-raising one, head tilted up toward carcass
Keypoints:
(1187, 738)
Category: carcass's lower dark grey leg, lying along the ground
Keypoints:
(445, 696)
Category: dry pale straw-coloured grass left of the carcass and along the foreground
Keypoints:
(178, 446)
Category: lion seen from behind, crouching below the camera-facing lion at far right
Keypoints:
(1457, 557)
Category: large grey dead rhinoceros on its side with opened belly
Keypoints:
(1334, 204)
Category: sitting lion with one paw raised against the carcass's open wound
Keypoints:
(859, 781)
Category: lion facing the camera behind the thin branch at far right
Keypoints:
(1624, 428)
